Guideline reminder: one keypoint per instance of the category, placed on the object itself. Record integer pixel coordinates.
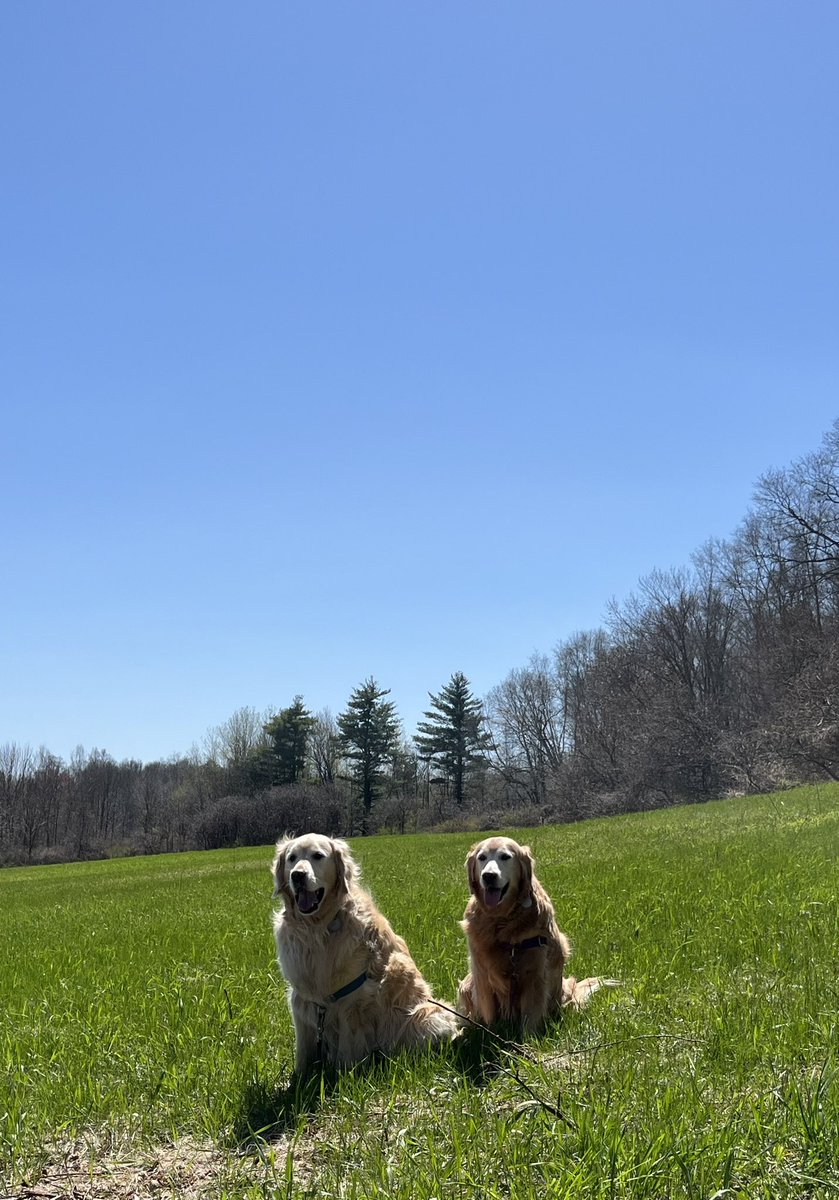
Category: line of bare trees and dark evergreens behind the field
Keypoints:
(721, 676)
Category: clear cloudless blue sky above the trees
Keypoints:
(370, 339)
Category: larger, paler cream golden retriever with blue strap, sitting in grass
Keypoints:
(353, 988)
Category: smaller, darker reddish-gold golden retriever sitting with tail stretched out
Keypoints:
(518, 953)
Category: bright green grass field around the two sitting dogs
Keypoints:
(146, 1045)
